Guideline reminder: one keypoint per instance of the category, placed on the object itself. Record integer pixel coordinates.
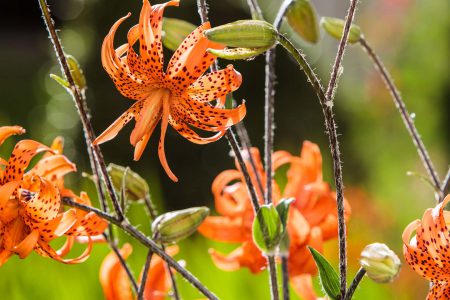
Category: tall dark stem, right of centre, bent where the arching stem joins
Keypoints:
(334, 145)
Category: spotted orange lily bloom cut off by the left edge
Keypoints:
(30, 204)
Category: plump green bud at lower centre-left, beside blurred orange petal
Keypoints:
(177, 225)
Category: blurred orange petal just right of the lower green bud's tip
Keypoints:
(224, 229)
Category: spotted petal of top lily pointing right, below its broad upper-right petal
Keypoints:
(215, 85)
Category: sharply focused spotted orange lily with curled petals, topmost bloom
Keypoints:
(179, 96)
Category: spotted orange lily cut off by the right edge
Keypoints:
(427, 252)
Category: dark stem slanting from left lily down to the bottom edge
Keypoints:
(147, 242)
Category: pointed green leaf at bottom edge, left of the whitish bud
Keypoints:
(329, 278)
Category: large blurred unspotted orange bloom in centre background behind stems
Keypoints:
(311, 218)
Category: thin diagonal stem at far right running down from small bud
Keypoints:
(406, 116)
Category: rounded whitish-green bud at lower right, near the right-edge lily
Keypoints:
(381, 263)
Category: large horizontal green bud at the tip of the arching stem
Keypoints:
(244, 34)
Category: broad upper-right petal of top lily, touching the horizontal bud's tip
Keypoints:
(191, 59)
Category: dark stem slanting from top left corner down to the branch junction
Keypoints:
(81, 107)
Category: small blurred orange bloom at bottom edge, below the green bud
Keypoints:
(115, 282)
